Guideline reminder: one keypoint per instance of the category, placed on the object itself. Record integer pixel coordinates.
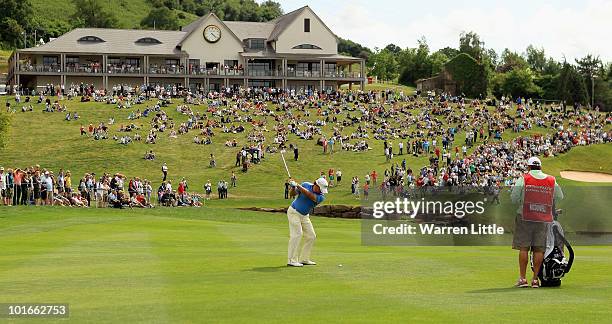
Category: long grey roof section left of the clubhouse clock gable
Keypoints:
(116, 41)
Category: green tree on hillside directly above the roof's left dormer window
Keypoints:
(91, 13)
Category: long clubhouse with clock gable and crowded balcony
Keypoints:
(296, 51)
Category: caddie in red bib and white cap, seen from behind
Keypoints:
(535, 193)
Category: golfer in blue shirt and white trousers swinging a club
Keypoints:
(308, 195)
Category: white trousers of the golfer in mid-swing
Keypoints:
(298, 225)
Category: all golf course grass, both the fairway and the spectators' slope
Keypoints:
(221, 264)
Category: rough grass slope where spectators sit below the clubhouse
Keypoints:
(46, 139)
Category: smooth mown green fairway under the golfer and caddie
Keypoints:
(195, 265)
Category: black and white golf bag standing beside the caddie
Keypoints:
(555, 264)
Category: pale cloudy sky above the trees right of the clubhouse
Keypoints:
(570, 29)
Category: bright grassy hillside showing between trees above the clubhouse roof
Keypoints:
(129, 13)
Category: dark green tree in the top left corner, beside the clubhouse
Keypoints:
(15, 18)
